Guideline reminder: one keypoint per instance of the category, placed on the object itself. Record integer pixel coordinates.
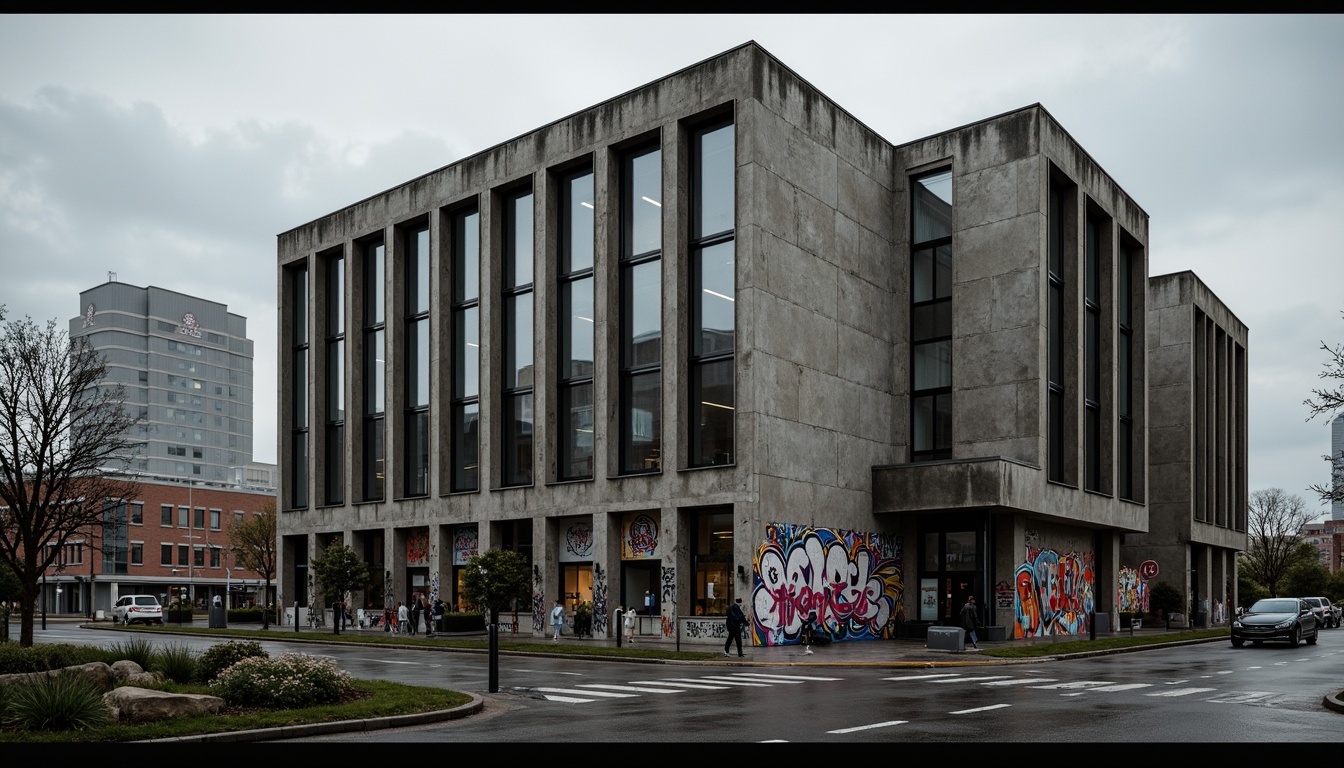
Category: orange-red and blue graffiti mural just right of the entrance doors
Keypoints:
(1054, 594)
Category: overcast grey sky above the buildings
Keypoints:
(173, 150)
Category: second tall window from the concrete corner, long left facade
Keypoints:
(642, 311)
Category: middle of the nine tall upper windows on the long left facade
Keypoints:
(467, 350)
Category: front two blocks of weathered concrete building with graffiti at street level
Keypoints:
(716, 338)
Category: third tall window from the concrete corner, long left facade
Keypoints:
(577, 321)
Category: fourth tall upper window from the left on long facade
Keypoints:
(416, 419)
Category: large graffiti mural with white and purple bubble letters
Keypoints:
(850, 580)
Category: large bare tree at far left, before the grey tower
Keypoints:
(62, 430)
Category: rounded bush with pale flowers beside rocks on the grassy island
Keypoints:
(288, 681)
